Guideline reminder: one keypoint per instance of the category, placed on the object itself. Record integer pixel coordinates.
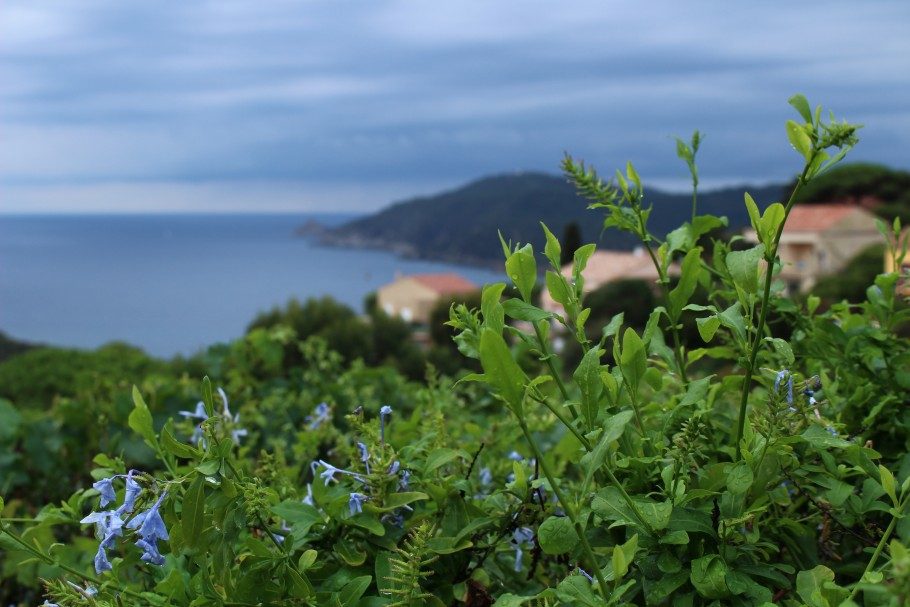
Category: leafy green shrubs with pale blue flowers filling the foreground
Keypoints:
(781, 477)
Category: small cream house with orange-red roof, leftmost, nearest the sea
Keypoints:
(412, 298)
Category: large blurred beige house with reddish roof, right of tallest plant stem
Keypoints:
(820, 239)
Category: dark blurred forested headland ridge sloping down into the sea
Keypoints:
(460, 225)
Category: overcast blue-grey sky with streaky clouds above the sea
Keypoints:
(343, 105)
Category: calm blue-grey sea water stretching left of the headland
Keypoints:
(173, 283)
